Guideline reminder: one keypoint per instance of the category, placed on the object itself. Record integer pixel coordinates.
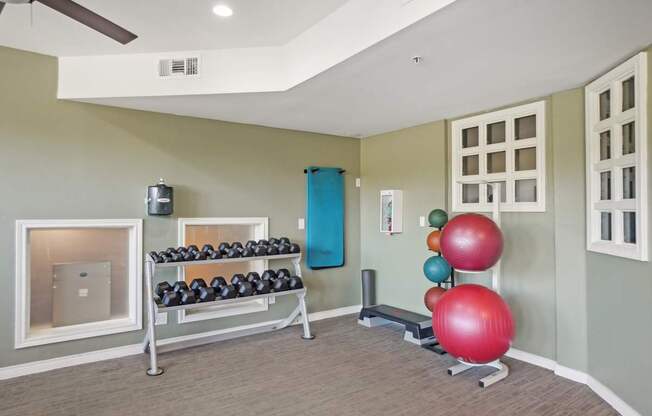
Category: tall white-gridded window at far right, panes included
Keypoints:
(616, 158)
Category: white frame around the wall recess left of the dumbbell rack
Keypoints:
(24, 337)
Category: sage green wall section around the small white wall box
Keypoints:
(413, 160)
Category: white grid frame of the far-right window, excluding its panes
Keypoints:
(612, 80)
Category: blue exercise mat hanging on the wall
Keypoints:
(324, 217)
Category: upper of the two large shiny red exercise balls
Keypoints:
(471, 242)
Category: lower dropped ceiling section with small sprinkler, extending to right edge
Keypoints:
(477, 55)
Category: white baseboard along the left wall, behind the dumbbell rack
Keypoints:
(41, 366)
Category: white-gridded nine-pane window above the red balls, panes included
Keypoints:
(506, 146)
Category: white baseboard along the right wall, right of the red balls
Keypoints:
(578, 376)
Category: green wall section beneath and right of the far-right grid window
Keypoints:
(620, 314)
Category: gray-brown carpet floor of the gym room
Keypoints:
(346, 370)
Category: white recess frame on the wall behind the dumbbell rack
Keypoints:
(260, 232)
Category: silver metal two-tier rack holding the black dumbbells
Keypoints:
(151, 345)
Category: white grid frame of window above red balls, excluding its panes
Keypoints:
(509, 147)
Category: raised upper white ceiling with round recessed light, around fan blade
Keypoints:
(162, 25)
